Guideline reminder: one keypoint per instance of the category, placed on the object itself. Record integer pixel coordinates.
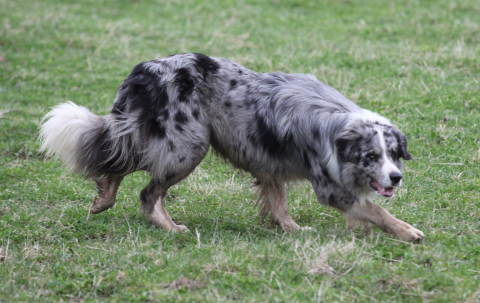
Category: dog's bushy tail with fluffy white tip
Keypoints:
(82, 140)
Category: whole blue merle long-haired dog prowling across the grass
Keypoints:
(279, 127)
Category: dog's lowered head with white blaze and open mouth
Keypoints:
(369, 156)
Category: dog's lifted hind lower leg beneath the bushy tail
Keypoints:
(107, 191)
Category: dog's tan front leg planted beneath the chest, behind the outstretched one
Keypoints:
(273, 201)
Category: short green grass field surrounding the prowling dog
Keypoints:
(415, 62)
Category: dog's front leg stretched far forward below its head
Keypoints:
(381, 218)
